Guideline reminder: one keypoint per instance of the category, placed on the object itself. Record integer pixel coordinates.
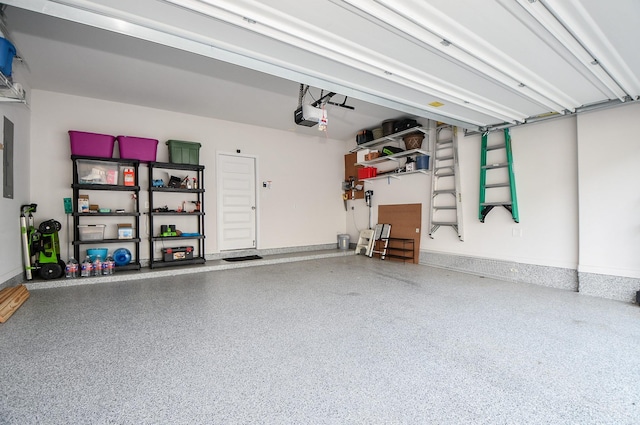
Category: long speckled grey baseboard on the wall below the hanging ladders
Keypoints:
(553, 277)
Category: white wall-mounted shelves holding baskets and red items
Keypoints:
(407, 157)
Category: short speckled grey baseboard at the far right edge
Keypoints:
(613, 287)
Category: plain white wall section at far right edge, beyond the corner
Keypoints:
(609, 160)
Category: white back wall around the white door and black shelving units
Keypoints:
(303, 207)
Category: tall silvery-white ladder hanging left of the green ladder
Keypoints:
(446, 198)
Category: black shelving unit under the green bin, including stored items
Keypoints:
(165, 186)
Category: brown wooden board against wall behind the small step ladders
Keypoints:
(404, 220)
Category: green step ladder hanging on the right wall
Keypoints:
(500, 180)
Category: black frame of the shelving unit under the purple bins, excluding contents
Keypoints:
(78, 187)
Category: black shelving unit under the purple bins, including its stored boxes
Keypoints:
(96, 175)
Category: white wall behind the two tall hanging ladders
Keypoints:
(546, 182)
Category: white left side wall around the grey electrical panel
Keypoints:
(10, 242)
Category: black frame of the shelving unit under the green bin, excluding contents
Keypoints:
(198, 194)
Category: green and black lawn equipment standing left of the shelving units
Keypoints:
(40, 246)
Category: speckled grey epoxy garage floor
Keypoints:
(345, 340)
